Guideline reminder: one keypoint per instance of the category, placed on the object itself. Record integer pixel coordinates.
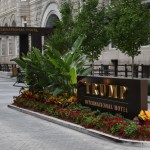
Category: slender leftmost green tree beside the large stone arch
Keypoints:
(62, 38)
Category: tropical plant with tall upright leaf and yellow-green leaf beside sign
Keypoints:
(67, 67)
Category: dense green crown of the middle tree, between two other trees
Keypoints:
(91, 22)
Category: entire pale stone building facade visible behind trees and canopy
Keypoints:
(40, 13)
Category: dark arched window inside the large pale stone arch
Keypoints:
(51, 21)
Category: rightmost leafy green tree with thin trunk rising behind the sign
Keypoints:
(129, 26)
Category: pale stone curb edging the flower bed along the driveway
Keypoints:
(79, 128)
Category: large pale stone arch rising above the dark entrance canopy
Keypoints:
(50, 12)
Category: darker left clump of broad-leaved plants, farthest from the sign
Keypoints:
(36, 74)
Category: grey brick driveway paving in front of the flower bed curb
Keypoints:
(19, 131)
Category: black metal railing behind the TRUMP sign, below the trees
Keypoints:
(140, 71)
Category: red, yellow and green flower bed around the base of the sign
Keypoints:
(70, 110)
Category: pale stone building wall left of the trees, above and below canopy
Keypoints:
(22, 13)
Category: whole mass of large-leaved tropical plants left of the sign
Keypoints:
(53, 70)
